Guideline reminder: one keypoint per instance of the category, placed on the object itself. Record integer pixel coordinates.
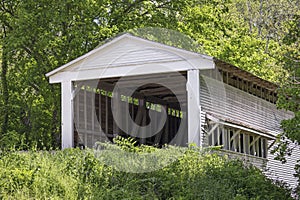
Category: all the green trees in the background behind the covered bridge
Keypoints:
(39, 36)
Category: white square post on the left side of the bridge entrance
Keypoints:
(67, 125)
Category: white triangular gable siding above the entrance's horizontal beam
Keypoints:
(130, 50)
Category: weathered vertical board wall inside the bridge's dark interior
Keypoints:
(93, 119)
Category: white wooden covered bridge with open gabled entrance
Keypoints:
(161, 94)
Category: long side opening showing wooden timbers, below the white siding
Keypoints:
(233, 139)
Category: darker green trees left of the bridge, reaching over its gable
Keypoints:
(46, 34)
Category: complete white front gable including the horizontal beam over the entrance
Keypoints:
(129, 55)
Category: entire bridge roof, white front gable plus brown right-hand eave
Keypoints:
(128, 50)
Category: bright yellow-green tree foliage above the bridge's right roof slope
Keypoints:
(219, 26)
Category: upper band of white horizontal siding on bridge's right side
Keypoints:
(240, 107)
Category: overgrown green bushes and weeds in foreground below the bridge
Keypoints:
(79, 174)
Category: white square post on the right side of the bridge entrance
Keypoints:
(193, 106)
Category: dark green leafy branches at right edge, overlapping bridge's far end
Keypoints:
(289, 95)
